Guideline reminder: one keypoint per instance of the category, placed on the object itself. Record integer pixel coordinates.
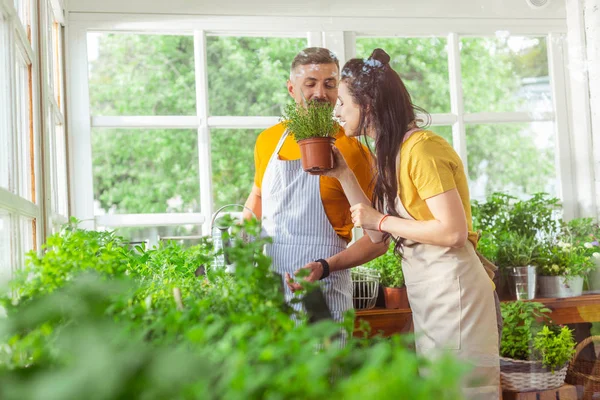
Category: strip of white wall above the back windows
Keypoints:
(320, 8)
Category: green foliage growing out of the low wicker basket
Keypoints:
(529, 334)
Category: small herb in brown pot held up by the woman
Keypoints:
(314, 129)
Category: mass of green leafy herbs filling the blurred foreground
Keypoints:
(95, 319)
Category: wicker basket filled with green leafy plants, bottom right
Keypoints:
(534, 351)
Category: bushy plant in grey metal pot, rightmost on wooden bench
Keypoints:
(561, 269)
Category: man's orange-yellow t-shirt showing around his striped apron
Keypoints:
(335, 203)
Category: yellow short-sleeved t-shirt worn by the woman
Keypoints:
(429, 166)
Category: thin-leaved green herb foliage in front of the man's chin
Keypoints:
(310, 121)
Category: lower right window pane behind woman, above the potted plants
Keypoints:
(514, 158)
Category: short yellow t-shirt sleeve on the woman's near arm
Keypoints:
(432, 165)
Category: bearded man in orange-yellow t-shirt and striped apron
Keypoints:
(308, 216)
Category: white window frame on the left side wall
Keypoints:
(21, 50)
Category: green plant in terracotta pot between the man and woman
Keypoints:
(391, 279)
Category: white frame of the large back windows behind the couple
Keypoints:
(336, 33)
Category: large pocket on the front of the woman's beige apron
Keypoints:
(436, 311)
